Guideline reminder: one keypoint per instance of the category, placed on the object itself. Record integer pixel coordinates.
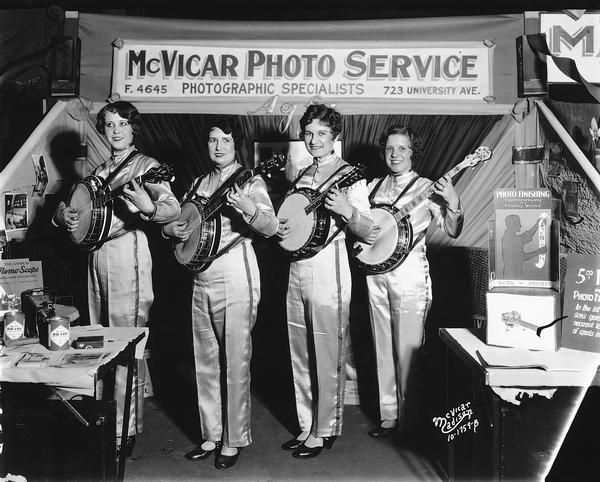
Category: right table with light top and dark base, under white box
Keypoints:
(523, 414)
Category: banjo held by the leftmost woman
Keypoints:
(93, 201)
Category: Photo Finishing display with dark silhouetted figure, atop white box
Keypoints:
(523, 240)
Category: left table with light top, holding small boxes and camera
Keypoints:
(86, 419)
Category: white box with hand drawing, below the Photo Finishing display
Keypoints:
(514, 316)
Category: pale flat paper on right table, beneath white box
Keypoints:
(561, 360)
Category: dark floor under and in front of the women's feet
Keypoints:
(159, 453)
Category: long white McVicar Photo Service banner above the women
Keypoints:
(457, 71)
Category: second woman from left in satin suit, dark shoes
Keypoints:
(225, 301)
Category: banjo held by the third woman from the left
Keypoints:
(312, 220)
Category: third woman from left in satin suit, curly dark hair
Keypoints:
(319, 288)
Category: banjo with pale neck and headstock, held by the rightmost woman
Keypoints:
(395, 240)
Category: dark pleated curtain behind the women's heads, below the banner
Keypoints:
(447, 139)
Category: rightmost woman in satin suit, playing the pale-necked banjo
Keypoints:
(400, 299)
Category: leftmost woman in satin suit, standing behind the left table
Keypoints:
(120, 268)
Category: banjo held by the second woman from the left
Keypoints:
(202, 215)
